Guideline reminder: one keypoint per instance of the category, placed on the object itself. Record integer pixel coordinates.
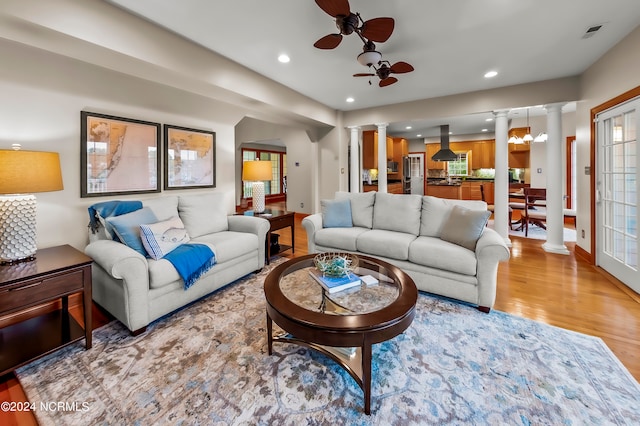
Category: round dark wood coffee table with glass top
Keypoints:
(341, 325)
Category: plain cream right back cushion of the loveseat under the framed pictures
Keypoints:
(203, 214)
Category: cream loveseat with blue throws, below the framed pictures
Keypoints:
(137, 289)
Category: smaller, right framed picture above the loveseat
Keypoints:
(189, 158)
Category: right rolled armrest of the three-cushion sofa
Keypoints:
(491, 249)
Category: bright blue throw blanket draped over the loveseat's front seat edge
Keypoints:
(191, 261)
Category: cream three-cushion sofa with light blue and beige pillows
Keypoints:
(415, 233)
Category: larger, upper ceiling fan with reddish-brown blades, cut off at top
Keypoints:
(377, 29)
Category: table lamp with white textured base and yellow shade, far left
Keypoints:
(22, 173)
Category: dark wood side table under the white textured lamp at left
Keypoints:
(55, 273)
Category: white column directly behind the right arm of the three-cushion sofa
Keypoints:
(501, 181)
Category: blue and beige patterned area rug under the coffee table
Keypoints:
(207, 364)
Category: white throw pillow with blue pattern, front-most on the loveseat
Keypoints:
(163, 237)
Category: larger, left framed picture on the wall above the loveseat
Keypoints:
(118, 155)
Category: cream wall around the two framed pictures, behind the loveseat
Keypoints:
(42, 96)
